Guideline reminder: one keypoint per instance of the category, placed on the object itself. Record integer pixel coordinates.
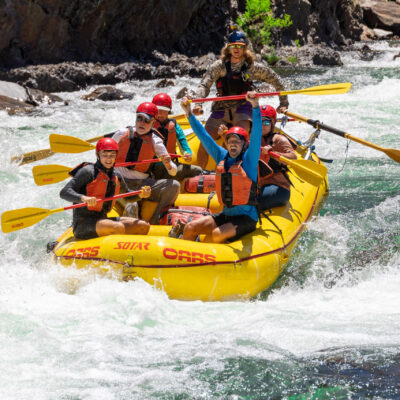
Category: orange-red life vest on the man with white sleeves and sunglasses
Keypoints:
(134, 147)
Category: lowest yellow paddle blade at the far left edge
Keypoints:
(15, 220)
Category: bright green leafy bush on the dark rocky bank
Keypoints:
(258, 21)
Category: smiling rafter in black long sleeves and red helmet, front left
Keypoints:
(98, 181)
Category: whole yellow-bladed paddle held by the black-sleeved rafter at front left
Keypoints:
(22, 218)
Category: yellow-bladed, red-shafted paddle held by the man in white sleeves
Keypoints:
(53, 173)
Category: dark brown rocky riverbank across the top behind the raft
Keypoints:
(53, 47)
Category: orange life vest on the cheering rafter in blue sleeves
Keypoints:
(234, 187)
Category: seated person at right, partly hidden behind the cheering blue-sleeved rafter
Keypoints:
(273, 180)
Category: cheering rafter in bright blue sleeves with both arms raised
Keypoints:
(236, 179)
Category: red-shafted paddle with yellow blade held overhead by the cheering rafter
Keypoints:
(335, 88)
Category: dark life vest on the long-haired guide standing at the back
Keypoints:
(233, 82)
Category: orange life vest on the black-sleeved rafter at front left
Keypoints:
(101, 187)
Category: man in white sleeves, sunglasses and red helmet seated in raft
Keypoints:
(143, 143)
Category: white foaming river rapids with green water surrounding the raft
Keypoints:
(329, 328)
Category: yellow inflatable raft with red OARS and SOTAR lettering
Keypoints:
(188, 270)
